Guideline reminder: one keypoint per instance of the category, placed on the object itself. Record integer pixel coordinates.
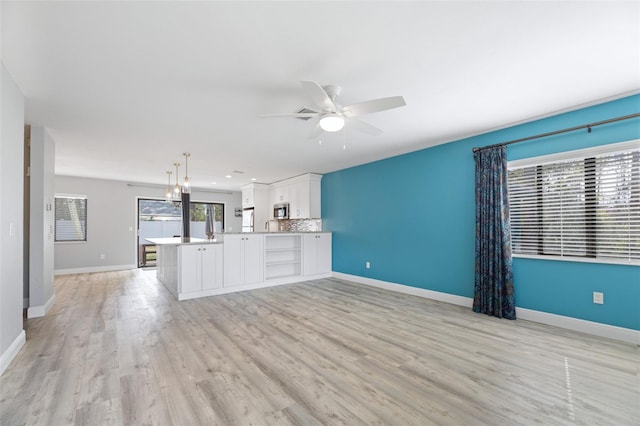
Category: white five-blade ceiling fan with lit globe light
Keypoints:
(330, 116)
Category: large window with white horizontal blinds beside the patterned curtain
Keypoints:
(578, 205)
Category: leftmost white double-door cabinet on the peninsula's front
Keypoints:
(200, 267)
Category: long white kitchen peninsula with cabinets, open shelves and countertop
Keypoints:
(241, 261)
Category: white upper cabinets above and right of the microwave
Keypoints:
(301, 192)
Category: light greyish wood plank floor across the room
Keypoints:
(117, 348)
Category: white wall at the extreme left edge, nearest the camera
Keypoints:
(12, 335)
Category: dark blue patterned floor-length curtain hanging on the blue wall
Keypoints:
(493, 292)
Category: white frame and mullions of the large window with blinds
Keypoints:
(588, 157)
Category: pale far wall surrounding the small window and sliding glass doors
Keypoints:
(111, 222)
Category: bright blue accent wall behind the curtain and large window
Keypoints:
(413, 217)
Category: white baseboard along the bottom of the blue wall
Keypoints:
(595, 328)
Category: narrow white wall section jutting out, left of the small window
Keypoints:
(41, 217)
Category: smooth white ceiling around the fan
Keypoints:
(125, 88)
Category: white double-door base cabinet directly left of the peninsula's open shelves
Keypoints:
(243, 259)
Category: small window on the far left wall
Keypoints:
(70, 218)
